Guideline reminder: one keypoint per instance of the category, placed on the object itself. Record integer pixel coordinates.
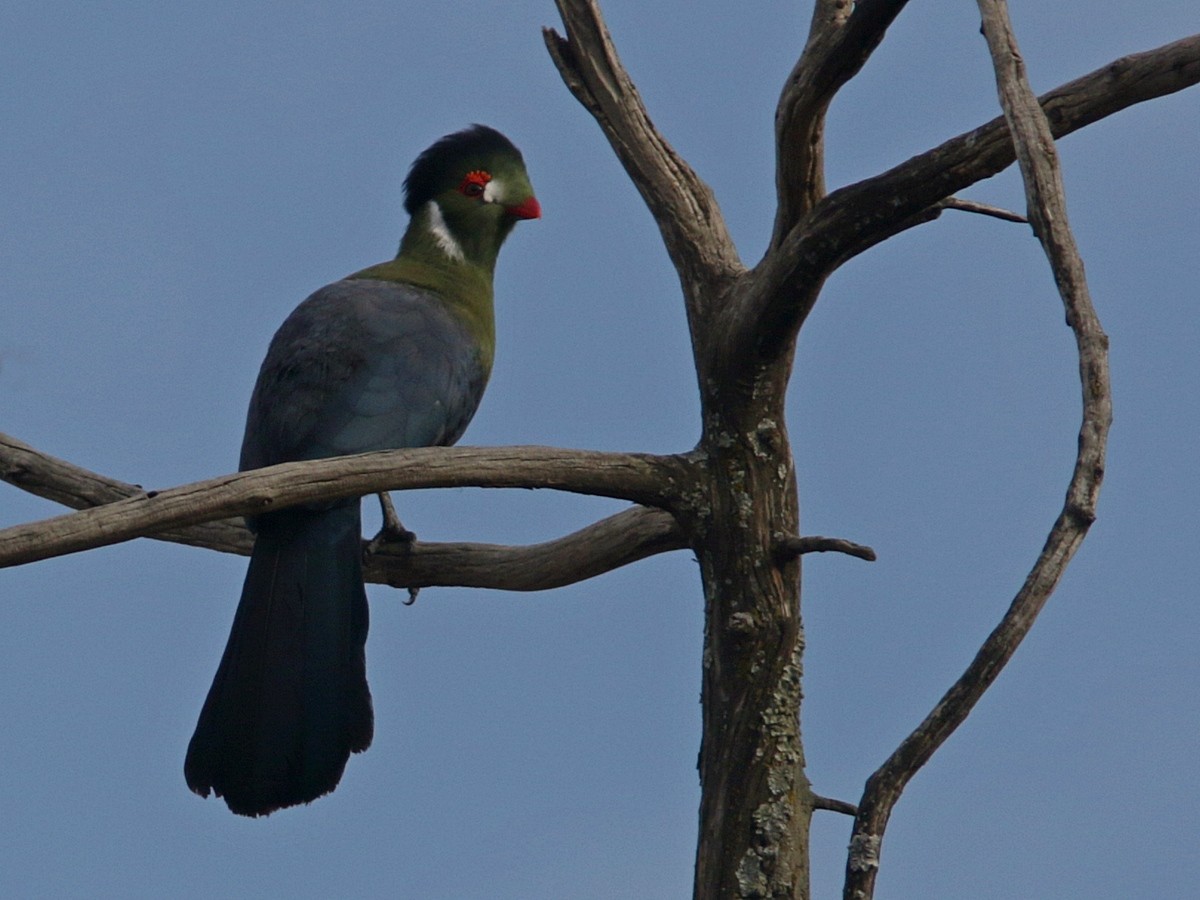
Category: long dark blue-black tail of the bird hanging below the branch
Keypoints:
(290, 703)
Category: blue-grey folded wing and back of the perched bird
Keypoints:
(363, 365)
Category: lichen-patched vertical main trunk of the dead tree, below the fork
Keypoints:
(757, 802)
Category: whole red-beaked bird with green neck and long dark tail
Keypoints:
(395, 356)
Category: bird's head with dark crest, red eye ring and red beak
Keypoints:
(465, 195)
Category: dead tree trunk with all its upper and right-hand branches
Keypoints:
(740, 512)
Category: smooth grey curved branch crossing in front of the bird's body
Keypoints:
(641, 478)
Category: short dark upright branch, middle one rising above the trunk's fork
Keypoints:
(841, 41)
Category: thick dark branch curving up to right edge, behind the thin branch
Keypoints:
(851, 220)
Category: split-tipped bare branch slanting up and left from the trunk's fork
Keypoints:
(682, 205)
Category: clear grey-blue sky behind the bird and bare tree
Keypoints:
(175, 178)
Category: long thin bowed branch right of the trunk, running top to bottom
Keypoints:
(1048, 212)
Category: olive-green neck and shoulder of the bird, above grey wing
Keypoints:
(464, 284)
